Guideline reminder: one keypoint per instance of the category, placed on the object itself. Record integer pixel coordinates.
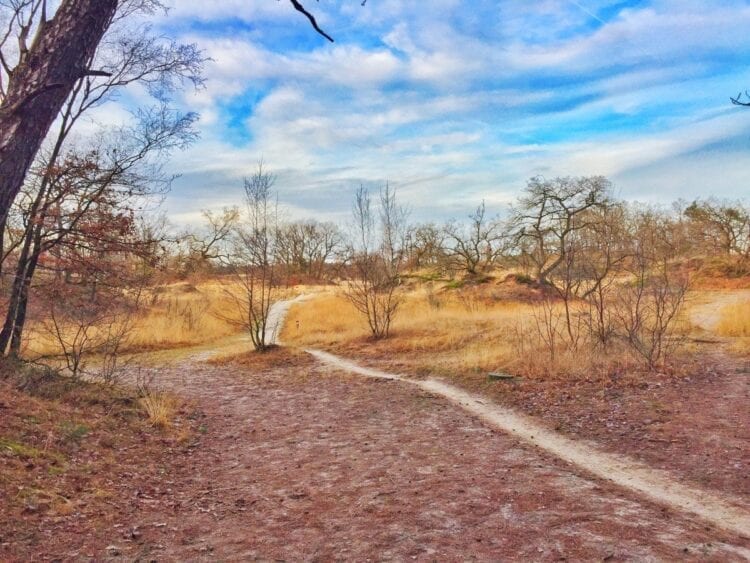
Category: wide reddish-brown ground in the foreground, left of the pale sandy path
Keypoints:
(294, 463)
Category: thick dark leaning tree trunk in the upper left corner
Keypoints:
(41, 82)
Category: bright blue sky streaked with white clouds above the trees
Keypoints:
(455, 101)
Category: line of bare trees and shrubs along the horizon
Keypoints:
(568, 235)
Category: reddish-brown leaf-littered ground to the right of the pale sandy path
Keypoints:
(696, 424)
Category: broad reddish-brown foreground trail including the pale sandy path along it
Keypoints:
(304, 460)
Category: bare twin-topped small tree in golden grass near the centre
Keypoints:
(376, 259)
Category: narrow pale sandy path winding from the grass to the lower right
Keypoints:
(654, 484)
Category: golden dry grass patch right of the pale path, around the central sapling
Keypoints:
(452, 333)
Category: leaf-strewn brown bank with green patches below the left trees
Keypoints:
(72, 459)
